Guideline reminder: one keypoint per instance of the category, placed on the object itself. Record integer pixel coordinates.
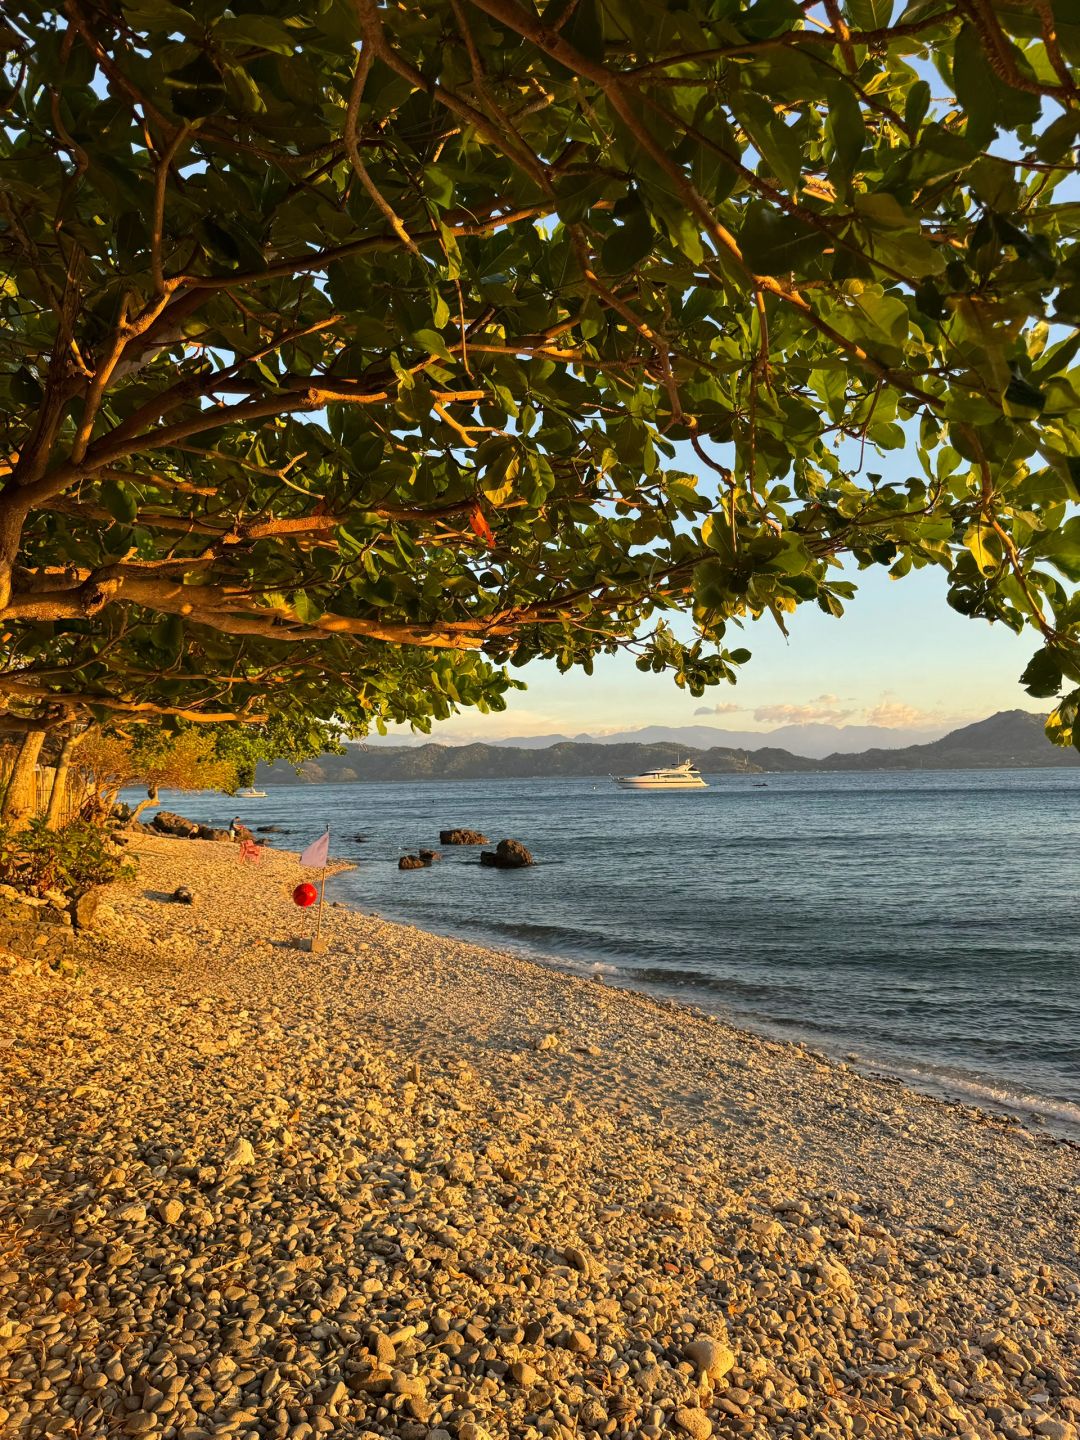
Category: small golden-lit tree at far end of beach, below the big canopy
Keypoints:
(156, 758)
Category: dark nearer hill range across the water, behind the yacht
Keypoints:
(1006, 741)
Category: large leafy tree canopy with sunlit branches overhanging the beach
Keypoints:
(355, 352)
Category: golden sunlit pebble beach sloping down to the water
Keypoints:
(413, 1187)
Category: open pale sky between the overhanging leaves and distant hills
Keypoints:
(899, 657)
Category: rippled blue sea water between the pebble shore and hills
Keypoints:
(924, 924)
